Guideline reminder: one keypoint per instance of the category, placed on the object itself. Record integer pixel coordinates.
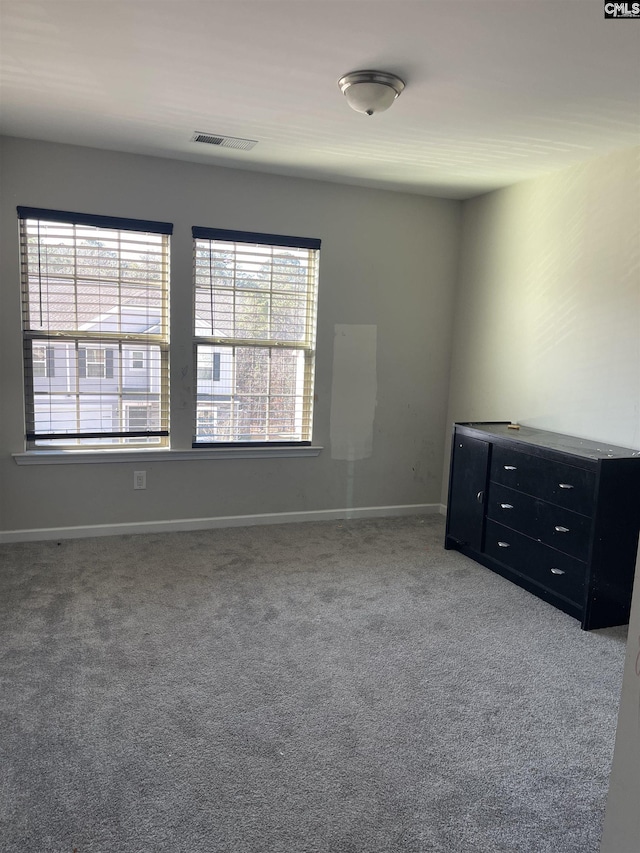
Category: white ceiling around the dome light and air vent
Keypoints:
(497, 90)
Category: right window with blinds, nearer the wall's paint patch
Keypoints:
(255, 327)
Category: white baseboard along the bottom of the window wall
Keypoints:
(170, 525)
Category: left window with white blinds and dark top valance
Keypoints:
(94, 293)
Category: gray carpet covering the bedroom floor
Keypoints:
(336, 687)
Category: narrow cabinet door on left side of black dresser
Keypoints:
(465, 520)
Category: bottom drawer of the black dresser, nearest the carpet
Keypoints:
(557, 572)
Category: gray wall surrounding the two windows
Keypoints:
(388, 260)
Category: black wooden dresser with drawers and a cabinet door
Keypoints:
(555, 514)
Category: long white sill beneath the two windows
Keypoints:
(76, 457)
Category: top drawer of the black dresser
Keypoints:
(564, 485)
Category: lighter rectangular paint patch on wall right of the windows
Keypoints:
(354, 390)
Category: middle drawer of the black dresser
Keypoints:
(553, 525)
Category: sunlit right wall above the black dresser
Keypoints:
(547, 329)
